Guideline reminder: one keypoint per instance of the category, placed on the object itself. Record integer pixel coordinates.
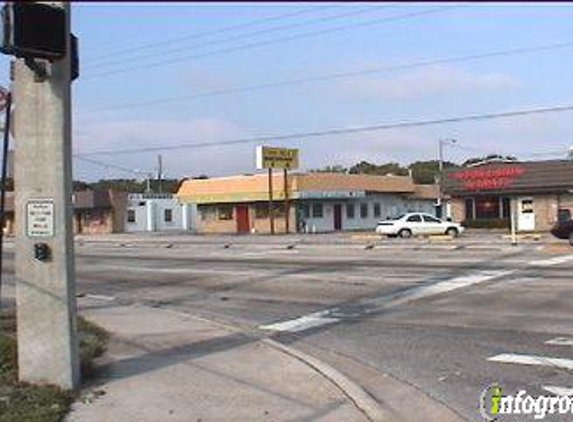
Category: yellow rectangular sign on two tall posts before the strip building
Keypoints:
(281, 158)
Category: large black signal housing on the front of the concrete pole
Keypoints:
(34, 30)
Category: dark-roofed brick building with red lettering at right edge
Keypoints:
(542, 192)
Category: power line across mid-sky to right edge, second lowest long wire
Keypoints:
(340, 75)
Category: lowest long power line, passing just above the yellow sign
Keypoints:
(334, 132)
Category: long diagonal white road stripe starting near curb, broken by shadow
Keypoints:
(325, 317)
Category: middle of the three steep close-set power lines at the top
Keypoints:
(240, 37)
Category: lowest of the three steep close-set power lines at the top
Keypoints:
(273, 41)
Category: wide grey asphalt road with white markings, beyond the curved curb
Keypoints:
(446, 321)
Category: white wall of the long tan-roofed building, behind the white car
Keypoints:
(390, 206)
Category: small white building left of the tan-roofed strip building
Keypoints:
(157, 212)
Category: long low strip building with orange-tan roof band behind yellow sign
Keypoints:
(319, 202)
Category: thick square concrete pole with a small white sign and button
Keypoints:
(45, 273)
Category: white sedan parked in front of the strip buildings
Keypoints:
(416, 224)
